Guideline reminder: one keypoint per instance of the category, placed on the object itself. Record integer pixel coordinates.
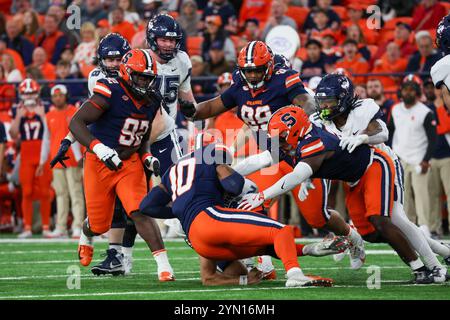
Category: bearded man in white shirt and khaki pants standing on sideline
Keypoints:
(413, 131)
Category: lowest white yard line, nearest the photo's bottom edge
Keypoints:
(132, 293)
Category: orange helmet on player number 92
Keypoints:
(138, 70)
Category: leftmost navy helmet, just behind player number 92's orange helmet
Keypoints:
(113, 45)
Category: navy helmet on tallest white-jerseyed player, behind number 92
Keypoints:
(163, 26)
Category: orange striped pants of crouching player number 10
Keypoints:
(219, 233)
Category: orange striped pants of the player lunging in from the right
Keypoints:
(374, 193)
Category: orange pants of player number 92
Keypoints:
(101, 186)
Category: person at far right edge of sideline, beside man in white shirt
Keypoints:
(440, 166)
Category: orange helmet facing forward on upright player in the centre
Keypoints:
(255, 57)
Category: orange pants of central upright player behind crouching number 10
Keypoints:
(314, 209)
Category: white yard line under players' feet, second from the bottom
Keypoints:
(92, 277)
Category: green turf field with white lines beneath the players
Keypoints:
(38, 269)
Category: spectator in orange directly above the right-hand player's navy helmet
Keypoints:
(352, 61)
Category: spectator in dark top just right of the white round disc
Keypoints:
(316, 63)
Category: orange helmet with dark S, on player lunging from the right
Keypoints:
(290, 124)
